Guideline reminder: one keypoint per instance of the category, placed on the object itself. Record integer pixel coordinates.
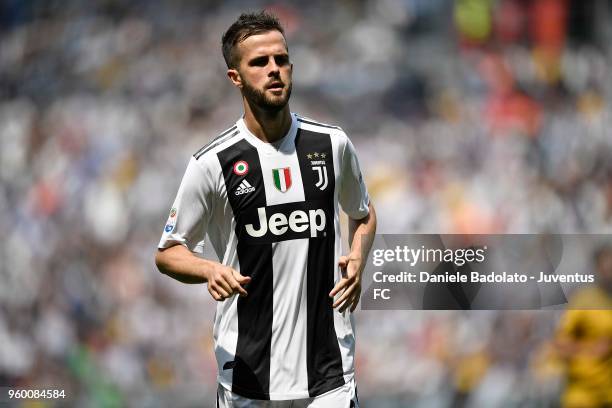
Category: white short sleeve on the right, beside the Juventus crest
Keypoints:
(353, 194)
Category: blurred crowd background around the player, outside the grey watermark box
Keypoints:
(473, 116)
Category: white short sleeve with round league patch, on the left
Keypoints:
(191, 211)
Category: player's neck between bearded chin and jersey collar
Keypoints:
(265, 125)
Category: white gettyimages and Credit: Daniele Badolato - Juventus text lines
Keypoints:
(459, 257)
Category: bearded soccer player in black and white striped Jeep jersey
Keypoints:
(267, 192)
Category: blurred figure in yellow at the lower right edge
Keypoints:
(584, 341)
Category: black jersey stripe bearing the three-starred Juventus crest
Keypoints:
(323, 358)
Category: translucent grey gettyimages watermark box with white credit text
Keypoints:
(479, 271)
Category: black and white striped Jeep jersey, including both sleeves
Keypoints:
(271, 212)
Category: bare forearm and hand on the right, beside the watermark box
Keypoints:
(361, 237)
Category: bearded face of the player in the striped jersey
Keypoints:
(265, 70)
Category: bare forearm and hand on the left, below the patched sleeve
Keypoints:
(180, 263)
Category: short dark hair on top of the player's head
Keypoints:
(248, 24)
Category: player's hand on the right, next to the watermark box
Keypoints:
(350, 284)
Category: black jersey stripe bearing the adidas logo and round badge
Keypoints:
(251, 375)
